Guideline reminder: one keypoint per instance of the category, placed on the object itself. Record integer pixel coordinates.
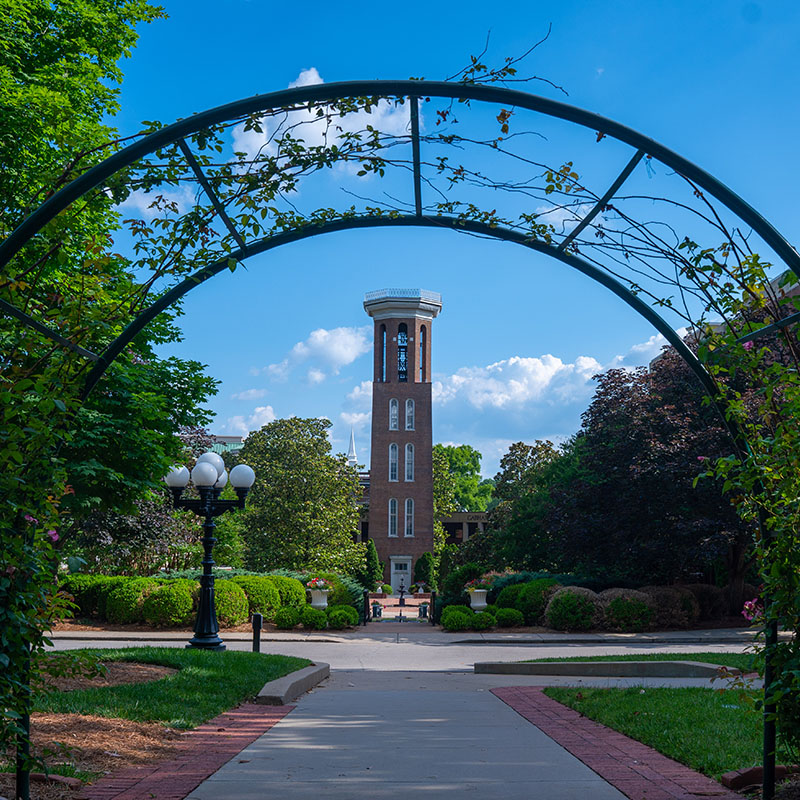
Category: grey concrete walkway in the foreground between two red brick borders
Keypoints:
(400, 737)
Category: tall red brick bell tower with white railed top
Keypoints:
(401, 474)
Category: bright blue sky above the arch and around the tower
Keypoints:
(520, 336)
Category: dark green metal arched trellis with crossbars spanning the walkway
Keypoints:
(414, 90)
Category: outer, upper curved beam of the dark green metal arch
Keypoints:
(382, 88)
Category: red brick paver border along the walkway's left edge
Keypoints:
(200, 754)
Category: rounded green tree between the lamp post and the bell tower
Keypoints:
(302, 511)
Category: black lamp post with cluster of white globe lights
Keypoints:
(209, 478)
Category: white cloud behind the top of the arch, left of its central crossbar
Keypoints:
(314, 130)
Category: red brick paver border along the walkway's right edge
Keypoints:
(638, 771)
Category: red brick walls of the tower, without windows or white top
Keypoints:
(418, 389)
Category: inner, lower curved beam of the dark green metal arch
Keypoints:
(402, 221)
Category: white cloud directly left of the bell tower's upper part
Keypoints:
(326, 350)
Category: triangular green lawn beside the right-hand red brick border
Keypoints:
(710, 730)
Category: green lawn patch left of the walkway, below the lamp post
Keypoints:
(207, 684)
